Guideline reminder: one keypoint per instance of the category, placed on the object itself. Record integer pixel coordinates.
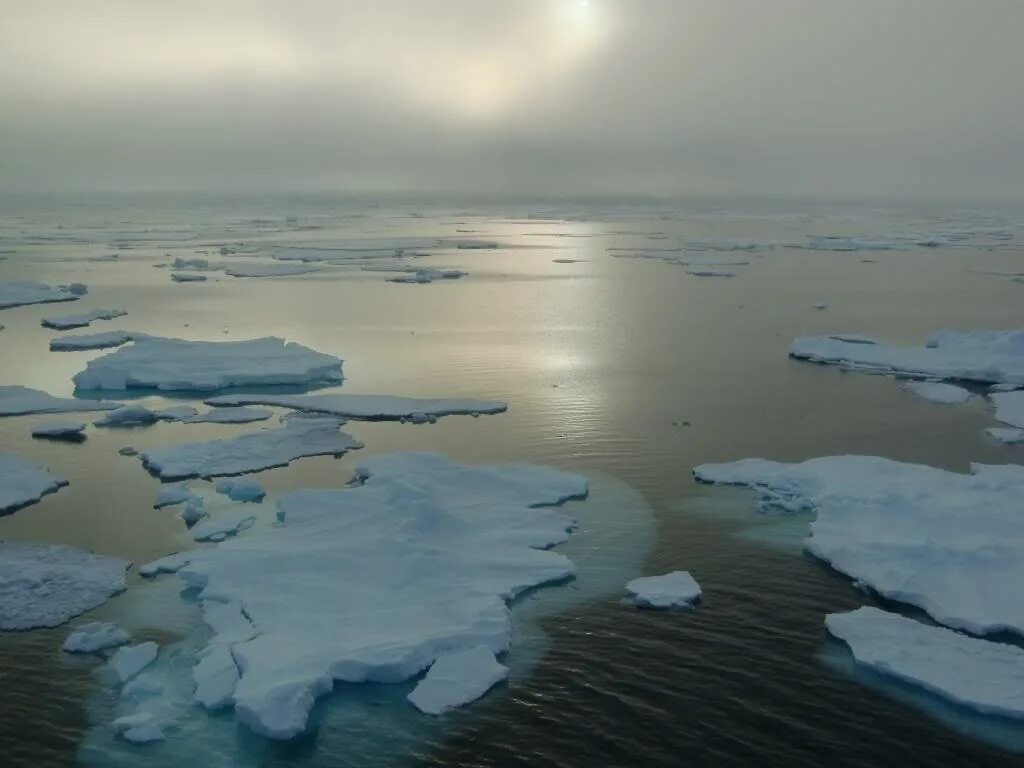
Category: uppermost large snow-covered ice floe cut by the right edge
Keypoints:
(988, 357)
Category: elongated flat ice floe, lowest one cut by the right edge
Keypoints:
(978, 674)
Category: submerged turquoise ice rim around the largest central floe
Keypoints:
(367, 723)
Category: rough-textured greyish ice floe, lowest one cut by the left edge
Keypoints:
(47, 585)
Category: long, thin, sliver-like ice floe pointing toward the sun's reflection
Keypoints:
(369, 407)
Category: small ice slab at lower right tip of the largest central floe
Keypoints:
(457, 679)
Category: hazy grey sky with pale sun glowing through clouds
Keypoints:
(782, 98)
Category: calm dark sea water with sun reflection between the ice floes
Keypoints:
(598, 359)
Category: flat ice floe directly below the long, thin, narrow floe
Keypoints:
(251, 452)
